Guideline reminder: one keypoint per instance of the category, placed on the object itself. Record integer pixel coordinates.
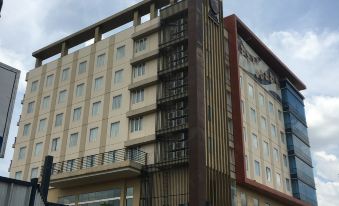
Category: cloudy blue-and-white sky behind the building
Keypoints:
(303, 33)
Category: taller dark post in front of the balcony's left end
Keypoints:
(46, 176)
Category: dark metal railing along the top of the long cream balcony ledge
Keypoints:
(106, 158)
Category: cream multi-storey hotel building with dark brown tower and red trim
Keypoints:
(183, 108)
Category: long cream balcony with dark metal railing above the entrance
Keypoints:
(108, 166)
